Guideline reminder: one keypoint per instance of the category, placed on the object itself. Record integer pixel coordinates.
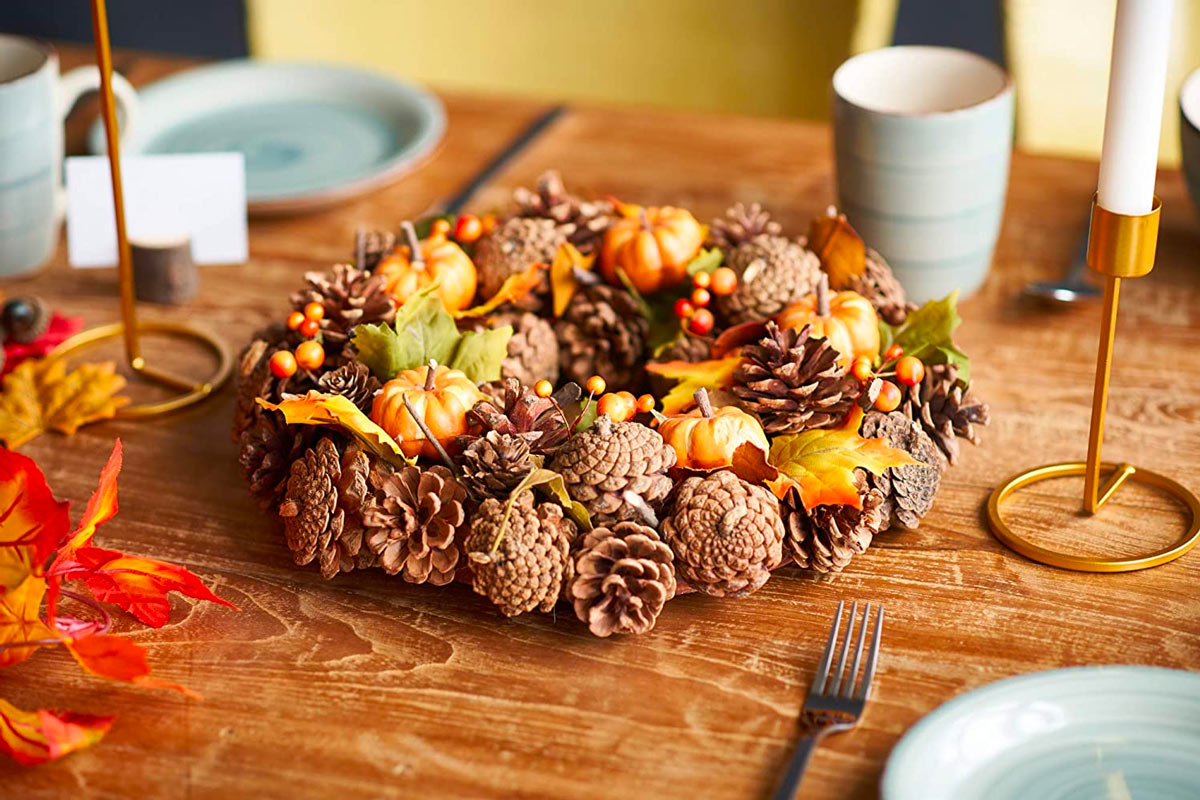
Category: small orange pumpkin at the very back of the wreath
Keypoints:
(652, 246)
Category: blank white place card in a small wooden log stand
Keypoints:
(167, 199)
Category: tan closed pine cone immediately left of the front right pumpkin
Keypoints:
(616, 471)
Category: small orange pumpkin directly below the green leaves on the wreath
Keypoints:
(441, 398)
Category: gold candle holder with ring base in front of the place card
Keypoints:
(129, 329)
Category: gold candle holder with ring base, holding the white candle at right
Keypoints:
(1119, 246)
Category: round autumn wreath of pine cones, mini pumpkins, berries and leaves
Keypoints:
(602, 405)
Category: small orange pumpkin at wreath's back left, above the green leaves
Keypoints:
(437, 260)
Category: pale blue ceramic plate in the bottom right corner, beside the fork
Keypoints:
(1087, 733)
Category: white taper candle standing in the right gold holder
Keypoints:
(1135, 116)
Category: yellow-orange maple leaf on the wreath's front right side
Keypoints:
(820, 465)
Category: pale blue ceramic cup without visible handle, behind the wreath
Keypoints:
(923, 137)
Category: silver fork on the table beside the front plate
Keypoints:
(836, 702)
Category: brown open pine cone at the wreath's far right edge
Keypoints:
(945, 410)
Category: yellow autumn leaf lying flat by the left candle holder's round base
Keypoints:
(43, 396)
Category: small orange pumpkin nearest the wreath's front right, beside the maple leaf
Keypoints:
(707, 440)
